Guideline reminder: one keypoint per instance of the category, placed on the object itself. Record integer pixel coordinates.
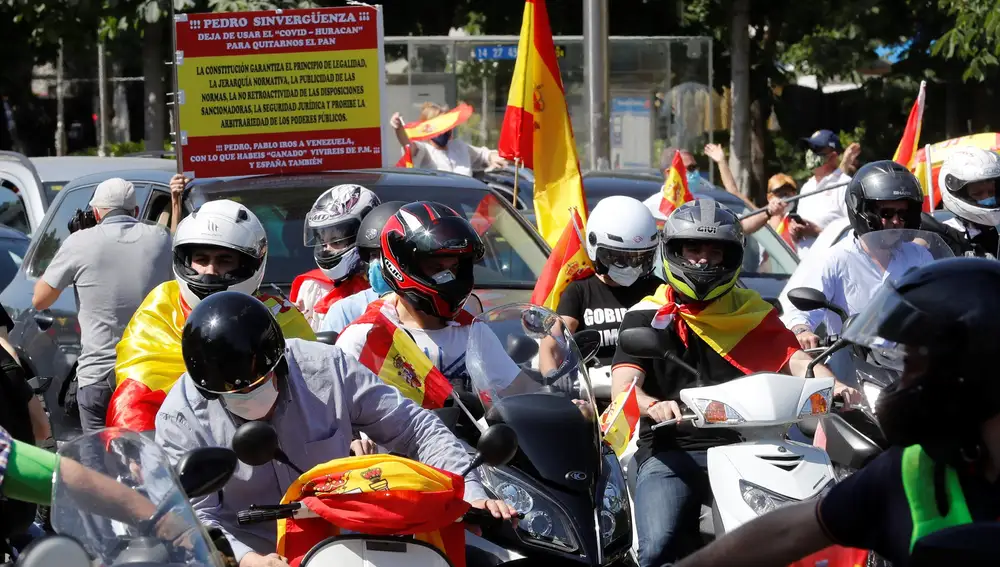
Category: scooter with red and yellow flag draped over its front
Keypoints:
(369, 506)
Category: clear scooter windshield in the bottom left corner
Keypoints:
(120, 498)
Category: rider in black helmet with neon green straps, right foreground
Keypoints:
(939, 323)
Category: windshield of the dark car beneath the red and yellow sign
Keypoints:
(514, 256)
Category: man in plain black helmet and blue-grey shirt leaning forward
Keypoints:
(241, 368)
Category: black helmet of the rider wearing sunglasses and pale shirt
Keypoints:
(883, 180)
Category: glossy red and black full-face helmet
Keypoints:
(423, 231)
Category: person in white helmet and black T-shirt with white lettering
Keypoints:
(621, 240)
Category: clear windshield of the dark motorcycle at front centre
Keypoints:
(530, 343)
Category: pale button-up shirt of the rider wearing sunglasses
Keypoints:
(849, 278)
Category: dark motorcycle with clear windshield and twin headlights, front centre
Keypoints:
(564, 479)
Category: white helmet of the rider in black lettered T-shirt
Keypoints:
(622, 239)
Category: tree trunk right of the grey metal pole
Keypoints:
(739, 136)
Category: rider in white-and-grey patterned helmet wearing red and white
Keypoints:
(331, 230)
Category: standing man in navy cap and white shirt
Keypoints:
(822, 157)
